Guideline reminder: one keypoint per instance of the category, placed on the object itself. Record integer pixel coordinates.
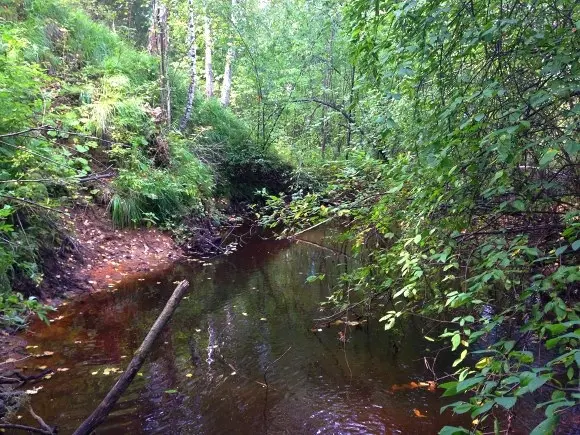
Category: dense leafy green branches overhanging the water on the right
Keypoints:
(464, 198)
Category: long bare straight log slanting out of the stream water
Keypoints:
(105, 407)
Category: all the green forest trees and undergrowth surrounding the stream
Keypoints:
(441, 135)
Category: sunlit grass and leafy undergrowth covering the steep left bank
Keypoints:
(79, 125)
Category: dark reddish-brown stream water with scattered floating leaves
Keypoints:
(247, 321)
